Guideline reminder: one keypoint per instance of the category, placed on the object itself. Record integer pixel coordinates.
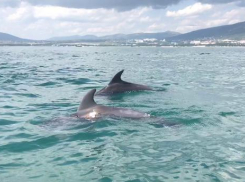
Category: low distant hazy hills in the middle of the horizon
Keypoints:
(159, 36)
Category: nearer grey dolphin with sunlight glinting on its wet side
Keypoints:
(88, 109)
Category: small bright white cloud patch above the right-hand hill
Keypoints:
(194, 9)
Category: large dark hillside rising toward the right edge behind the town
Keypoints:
(234, 31)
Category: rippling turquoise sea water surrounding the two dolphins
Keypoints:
(203, 93)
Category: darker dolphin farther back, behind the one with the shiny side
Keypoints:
(117, 85)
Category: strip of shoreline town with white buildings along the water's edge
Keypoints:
(133, 43)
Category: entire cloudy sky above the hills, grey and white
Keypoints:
(42, 19)
